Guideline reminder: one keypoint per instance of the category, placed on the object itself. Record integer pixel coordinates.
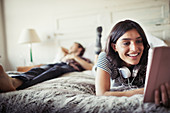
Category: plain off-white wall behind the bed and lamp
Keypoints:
(50, 17)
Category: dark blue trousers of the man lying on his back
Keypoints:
(43, 73)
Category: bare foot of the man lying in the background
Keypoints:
(6, 83)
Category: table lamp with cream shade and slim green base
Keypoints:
(29, 36)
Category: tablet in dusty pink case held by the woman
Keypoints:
(158, 71)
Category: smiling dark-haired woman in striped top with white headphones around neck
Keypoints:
(123, 64)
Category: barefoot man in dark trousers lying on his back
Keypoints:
(71, 61)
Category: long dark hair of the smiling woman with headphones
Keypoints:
(117, 31)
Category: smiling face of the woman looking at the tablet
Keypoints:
(129, 47)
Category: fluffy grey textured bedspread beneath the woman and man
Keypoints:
(72, 93)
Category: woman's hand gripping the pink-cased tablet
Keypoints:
(162, 95)
